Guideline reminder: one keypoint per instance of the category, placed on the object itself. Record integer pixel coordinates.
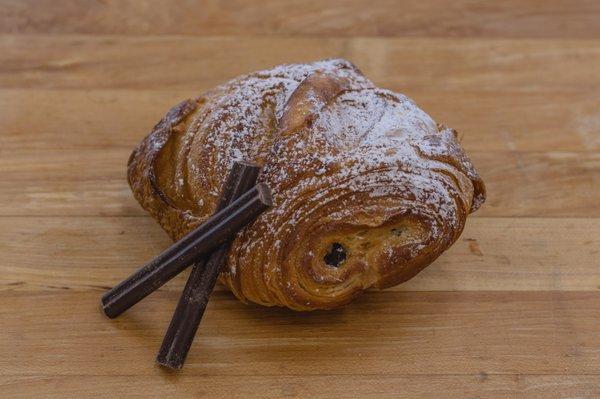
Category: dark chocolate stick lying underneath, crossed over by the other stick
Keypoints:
(200, 283)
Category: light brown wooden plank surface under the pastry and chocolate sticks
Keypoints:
(512, 310)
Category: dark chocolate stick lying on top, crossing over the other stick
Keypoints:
(205, 238)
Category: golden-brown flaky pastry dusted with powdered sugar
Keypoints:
(367, 188)
